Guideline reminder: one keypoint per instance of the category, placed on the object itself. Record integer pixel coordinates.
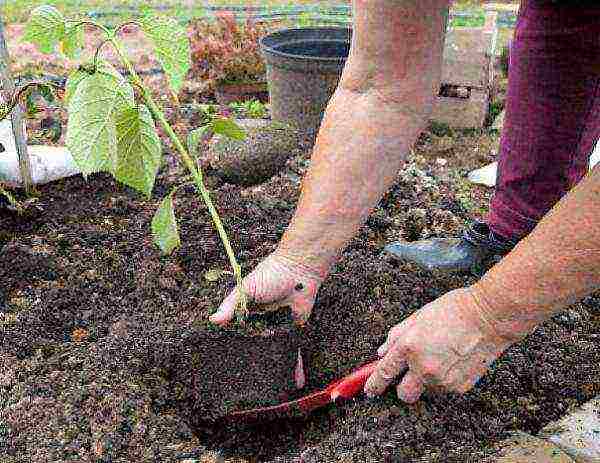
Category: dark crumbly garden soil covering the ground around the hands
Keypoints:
(102, 338)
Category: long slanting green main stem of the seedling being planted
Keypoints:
(196, 172)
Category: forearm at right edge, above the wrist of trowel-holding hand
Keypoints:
(557, 264)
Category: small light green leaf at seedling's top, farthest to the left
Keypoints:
(45, 29)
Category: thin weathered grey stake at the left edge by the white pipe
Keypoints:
(8, 88)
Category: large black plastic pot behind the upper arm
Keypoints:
(303, 70)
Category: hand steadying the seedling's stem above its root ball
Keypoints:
(276, 282)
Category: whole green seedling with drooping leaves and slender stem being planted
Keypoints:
(112, 119)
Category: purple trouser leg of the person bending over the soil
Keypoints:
(552, 117)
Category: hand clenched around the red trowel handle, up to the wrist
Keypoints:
(448, 345)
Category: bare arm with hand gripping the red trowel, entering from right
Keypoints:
(451, 342)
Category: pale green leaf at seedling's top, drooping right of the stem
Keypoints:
(171, 45)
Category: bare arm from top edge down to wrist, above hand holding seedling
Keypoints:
(381, 105)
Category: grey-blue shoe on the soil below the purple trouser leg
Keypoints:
(468, 253)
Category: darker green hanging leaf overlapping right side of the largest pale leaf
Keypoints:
(139, 149)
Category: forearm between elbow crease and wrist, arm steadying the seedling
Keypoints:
(360, 147)
